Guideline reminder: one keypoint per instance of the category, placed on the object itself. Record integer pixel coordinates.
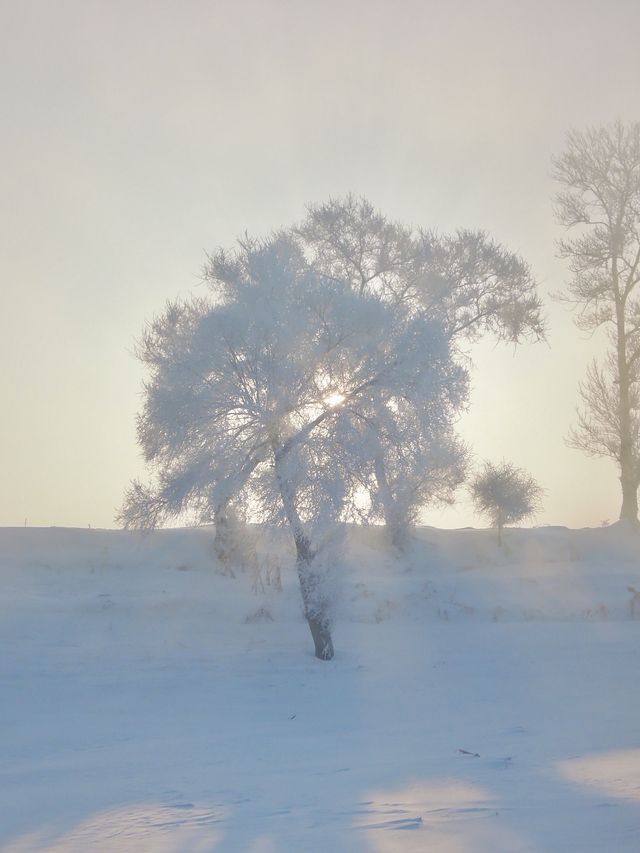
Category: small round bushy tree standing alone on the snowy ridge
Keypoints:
(505, 494)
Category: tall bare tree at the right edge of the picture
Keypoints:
(599, 172)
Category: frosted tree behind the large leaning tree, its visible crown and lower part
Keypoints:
(470, 283)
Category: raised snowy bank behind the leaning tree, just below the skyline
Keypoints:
(547, 573)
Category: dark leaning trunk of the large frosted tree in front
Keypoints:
(313, 601)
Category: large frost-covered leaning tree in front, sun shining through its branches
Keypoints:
(267, 397)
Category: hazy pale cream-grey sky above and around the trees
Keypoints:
(139, 135)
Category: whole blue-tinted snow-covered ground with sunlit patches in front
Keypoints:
(480, 700)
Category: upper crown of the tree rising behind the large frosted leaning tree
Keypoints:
(472, 283)
